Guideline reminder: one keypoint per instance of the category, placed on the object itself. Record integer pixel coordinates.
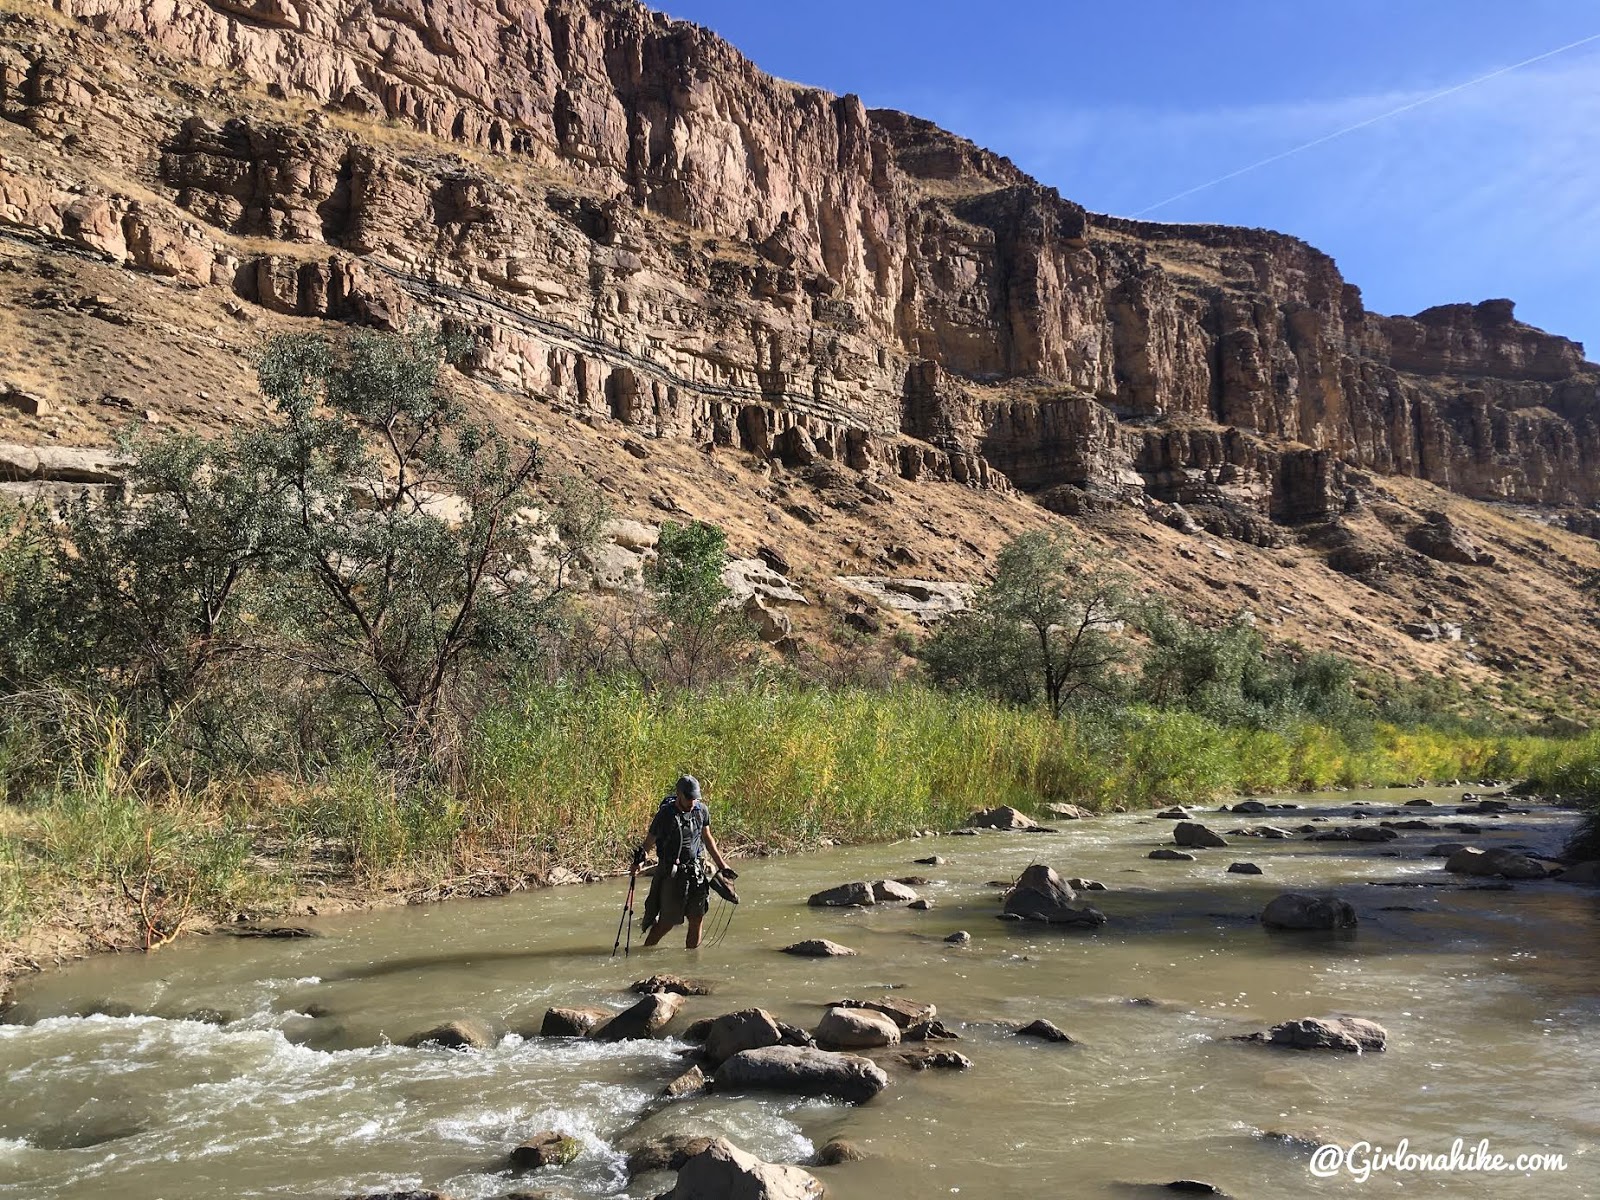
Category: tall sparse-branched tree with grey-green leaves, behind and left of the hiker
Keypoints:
(412, 529)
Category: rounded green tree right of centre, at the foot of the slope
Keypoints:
(1042, 633)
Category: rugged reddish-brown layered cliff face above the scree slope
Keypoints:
(642, 226)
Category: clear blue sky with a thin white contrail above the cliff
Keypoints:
(1492, 191)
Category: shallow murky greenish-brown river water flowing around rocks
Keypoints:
(233, 1068)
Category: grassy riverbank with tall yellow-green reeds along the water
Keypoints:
(106, 850)
